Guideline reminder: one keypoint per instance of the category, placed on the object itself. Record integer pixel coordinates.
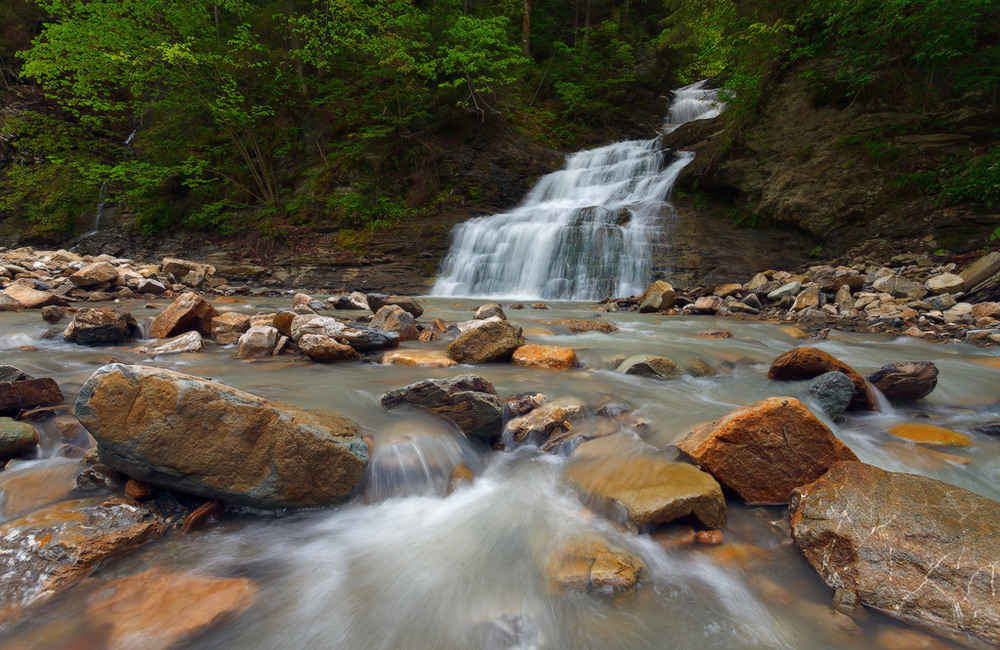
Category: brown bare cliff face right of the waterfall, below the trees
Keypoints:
(847, 174)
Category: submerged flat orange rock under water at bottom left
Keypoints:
(163, 608)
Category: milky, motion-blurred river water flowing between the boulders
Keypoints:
(405, 567)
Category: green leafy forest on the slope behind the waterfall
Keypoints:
(227, 115)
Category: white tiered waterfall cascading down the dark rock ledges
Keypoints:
(583, 232)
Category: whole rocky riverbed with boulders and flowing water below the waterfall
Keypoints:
(197, 461)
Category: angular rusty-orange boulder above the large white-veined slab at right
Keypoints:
(763, 451)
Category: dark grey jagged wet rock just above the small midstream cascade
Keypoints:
(468, 401)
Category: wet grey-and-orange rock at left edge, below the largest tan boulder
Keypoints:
(45, 552)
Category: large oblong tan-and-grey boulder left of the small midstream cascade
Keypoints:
(205, 438)
